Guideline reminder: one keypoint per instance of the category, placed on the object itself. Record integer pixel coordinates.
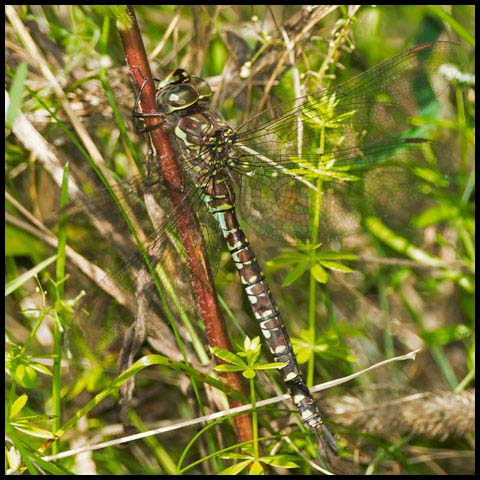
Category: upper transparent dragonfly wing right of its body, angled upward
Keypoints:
(377, 101)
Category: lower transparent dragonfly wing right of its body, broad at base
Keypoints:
(390, 181)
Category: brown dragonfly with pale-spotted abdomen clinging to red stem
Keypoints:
(349, 147)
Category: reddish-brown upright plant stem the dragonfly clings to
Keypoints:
(187, 224)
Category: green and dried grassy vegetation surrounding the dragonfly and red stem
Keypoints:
(348, 304)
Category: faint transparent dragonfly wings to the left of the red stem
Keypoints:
(98, 221)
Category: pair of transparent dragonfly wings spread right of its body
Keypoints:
(355, 147)
